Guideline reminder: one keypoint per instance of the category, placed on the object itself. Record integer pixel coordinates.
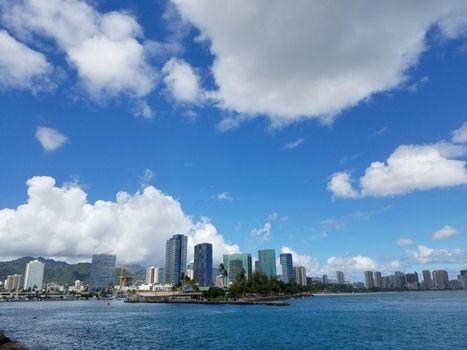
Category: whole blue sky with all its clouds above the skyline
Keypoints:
(333, 131)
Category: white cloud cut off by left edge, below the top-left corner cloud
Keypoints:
(22, 67)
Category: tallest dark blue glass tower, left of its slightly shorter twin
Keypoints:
(175, 258)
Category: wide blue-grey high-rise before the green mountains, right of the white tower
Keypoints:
(103, 271)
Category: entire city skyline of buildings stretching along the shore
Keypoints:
(203, 274)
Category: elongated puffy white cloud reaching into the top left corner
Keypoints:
(105, 48)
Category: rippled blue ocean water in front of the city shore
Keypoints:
(408, 320)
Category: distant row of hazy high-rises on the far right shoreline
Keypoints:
(438, 279)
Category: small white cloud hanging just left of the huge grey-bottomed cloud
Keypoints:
(181, 81)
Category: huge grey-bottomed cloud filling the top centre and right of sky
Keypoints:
(316, 58)
